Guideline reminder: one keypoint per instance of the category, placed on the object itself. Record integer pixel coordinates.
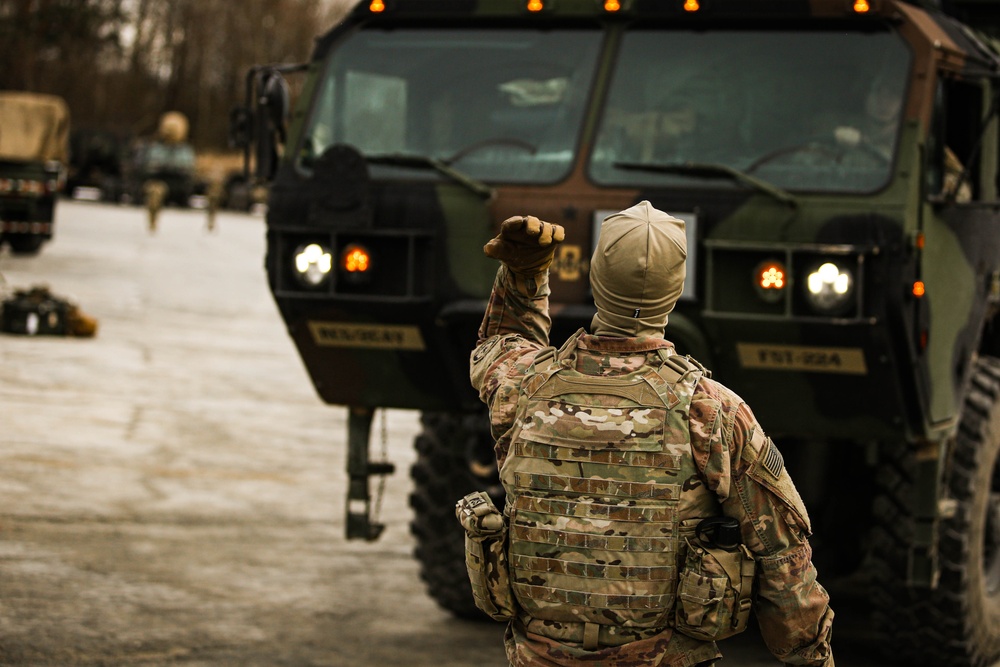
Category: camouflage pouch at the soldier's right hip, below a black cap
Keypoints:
(713, 594)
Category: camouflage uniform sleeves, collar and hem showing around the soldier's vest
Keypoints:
(737, 466)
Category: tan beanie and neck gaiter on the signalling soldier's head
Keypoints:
(637, 272)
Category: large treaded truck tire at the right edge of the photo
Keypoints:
(958, 623)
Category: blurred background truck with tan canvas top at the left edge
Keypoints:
(34, 146)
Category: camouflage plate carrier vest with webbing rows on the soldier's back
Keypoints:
(594, 482)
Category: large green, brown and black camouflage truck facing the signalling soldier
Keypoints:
(836, 162)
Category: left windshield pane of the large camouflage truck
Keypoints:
(498, 105)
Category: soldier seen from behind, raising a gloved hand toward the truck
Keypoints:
(644, 503)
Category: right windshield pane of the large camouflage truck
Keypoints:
(813, 111)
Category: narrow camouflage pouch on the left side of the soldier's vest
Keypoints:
(486, 555)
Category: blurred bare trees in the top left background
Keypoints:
(121, 63)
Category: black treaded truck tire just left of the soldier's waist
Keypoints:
(441, 476)
